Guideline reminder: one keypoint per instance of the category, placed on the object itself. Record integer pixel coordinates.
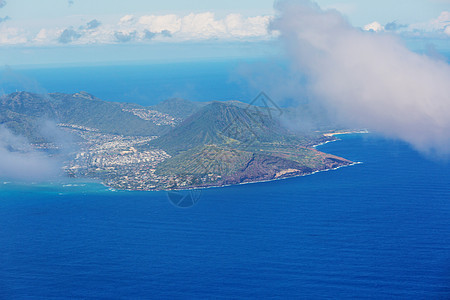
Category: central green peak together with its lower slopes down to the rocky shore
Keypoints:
(226, 144)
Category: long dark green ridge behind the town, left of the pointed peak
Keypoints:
(23, 111)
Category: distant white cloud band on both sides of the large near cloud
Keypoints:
(177, 28)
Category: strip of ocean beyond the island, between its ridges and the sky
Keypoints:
(145, 84)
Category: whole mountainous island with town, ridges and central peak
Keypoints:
(176, 144)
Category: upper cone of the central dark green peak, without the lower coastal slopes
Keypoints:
(226, 124)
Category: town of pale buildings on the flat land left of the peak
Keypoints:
(114, 159)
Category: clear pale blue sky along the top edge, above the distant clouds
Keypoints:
(360, 12)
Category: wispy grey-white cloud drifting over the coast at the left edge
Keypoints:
(19, 159)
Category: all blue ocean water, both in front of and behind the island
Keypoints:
(375, 230)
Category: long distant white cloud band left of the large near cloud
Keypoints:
(170, 27)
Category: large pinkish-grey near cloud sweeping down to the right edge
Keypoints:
(367, 79)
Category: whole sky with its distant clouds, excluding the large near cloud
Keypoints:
(30, 30)
